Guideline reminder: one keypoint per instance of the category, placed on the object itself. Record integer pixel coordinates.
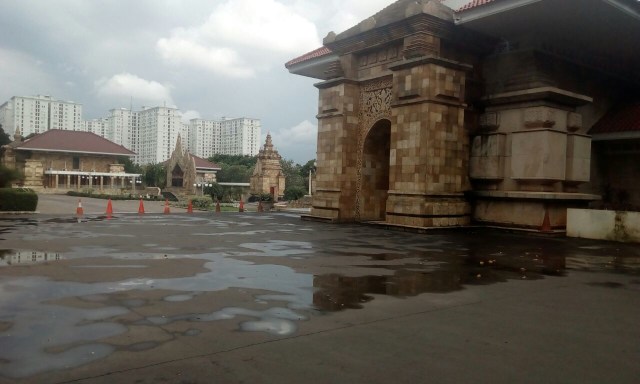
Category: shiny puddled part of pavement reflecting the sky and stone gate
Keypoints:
(65, 306)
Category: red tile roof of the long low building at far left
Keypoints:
(56, 140)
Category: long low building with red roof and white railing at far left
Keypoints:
(69, 160)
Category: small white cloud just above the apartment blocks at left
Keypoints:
(126, 85)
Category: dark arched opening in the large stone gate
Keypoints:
(375, 172)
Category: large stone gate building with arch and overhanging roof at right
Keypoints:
(432, 117)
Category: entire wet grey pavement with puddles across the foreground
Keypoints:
(270, 298)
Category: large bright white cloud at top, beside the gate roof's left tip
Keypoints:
(240, 38)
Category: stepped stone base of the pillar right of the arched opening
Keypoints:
(428, 211)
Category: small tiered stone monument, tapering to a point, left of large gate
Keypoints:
(267, 175)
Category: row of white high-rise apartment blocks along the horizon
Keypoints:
(151, 132)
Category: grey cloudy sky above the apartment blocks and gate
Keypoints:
(209, 58)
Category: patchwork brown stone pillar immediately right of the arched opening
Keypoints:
(429, 145)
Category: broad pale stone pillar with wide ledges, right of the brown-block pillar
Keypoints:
(527, 159)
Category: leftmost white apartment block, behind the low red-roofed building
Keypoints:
(36, 114)
